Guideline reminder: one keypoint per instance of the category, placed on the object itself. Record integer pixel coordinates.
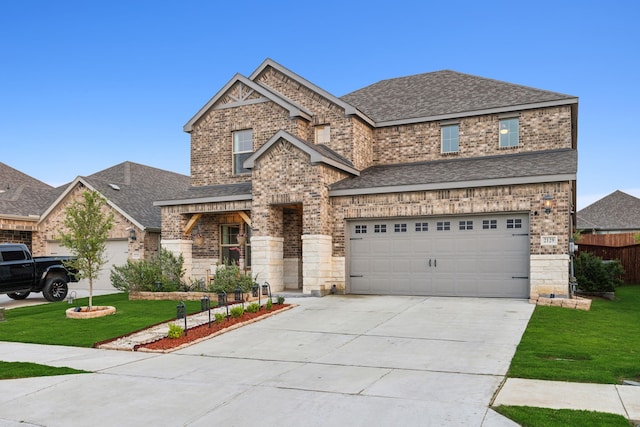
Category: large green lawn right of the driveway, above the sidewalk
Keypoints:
(597, 346)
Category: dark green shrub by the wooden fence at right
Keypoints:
(595, 275)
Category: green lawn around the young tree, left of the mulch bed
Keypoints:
(48, 324)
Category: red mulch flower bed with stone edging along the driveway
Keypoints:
(202, 332)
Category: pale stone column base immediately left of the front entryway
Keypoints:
(267, 261)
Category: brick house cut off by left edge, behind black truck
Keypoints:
(22, 199)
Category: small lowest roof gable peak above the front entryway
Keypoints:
(317, 153)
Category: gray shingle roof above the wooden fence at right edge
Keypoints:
(617, 211)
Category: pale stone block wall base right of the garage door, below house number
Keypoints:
(549, 274)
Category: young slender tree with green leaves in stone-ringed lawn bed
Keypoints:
(87, 224)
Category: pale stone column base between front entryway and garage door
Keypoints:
(317, 263)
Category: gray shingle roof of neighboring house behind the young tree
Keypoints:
(139, 186)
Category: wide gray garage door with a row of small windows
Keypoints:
(479, 256)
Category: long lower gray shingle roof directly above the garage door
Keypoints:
(510, 166)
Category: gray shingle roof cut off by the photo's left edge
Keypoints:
(20, 194)
